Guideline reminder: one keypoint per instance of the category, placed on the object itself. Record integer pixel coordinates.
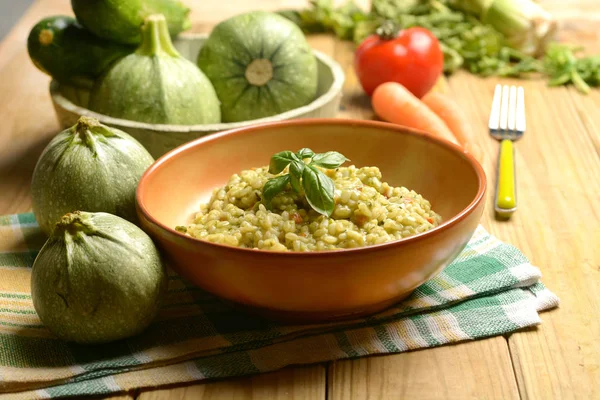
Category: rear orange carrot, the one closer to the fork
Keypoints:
(452, 115)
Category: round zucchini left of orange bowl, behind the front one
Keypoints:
(91, 167)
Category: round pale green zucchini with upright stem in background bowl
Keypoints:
(156, 84)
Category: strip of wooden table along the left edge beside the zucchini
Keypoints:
(29, 120)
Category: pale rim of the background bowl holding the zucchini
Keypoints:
(333, 91)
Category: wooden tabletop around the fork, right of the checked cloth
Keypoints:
(557, 227)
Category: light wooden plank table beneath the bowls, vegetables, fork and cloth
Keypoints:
(557, 226)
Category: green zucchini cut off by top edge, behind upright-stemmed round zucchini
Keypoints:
(121, 20)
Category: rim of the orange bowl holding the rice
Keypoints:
(173, 154)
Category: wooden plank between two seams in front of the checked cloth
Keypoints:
(473, 370)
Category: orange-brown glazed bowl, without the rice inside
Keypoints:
(322, 285)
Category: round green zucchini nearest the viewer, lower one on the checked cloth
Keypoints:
(98, 278)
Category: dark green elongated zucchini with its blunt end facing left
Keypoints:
(61, 48)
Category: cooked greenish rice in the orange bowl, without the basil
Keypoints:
(367, 211)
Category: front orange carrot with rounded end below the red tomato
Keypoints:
(394, 103)
